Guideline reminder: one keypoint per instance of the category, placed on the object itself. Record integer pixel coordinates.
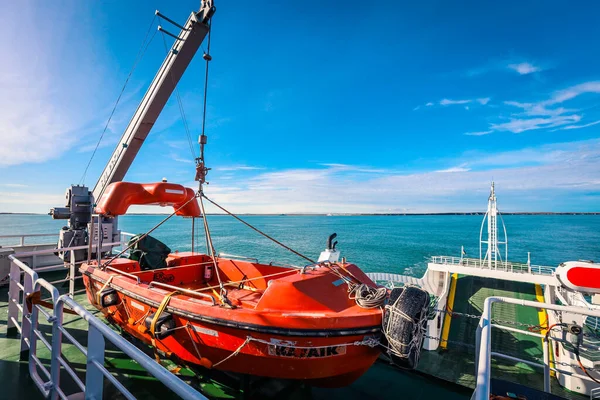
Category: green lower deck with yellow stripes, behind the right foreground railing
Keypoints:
(456, 364)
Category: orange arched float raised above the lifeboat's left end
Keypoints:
(120, 195)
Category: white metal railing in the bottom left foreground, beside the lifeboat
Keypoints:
(25, 281)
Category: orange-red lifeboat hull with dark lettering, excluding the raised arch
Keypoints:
(327, 346)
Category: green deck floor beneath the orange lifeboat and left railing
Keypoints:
(381, 377)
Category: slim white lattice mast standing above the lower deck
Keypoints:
(492, 254)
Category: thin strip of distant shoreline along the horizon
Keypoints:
(362, 214)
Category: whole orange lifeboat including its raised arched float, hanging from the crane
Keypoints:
(240, 315)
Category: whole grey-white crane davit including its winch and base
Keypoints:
(79, 200)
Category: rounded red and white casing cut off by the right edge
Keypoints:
(581, 276)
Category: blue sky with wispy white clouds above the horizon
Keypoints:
(335, 107)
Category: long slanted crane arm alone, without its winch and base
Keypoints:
(177, 60)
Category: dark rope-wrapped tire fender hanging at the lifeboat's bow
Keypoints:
(403, 326)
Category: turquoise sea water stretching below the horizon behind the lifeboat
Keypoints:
(398, 244)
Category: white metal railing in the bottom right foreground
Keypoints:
(484, 344)
